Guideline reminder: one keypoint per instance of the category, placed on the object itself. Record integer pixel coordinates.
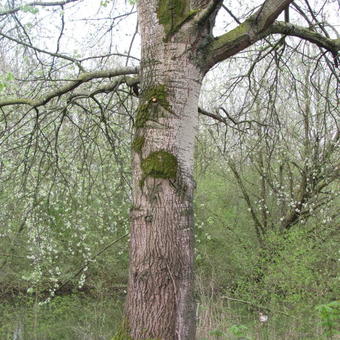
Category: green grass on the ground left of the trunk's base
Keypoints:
(70, 317)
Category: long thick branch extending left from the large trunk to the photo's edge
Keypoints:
(83, 78)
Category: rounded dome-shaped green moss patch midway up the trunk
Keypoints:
(160, 164)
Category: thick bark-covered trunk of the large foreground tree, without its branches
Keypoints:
(160, 302)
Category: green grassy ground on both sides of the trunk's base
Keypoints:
(82, 317)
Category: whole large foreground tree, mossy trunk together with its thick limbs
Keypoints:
(177, 50)
